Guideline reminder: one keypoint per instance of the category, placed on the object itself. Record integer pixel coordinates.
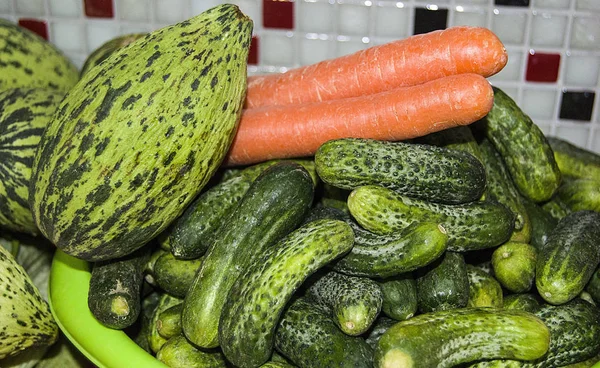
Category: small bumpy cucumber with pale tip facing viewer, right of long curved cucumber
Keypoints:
(355, 302)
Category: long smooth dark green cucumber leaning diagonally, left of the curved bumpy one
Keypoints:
(275, 204)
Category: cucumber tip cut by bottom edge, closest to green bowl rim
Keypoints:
(177, 352)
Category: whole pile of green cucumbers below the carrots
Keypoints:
(475, 246)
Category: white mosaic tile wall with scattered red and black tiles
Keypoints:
(313, 30)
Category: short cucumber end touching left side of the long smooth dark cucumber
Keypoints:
(175, 276)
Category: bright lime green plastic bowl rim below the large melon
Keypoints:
(105, 347)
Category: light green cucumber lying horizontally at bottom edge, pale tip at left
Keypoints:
(448, 338)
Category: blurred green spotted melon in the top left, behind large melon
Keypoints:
(29, 61)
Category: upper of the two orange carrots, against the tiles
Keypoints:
(407, 62)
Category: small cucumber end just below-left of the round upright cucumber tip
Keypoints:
(484, 289)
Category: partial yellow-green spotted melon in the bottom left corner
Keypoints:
(25, 317)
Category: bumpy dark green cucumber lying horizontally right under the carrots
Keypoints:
(422, 171)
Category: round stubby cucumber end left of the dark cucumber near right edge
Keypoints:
(514, 266)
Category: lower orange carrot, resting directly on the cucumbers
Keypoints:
(276, 132)
